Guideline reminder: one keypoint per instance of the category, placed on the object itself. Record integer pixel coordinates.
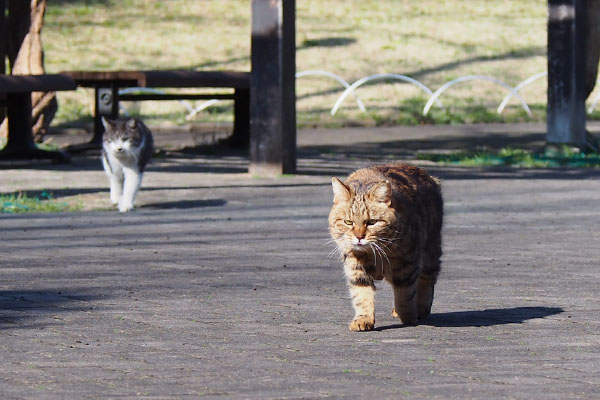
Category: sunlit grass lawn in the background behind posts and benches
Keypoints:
(433, 41)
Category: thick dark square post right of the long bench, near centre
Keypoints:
(272, 92)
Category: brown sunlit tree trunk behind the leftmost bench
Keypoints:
(25, 57)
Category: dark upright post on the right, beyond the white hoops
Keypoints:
(566, 73)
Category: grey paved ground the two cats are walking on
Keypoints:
(221, 285)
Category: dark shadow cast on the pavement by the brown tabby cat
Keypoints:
(489, 317)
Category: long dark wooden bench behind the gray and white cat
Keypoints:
(108, 83)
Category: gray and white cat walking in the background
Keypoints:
(127, 146)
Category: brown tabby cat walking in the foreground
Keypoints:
(386, 221)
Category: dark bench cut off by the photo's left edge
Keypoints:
(15, 95)
